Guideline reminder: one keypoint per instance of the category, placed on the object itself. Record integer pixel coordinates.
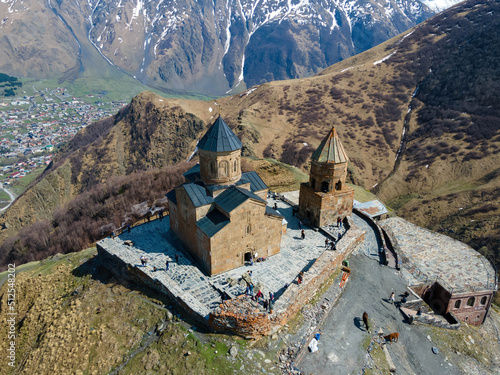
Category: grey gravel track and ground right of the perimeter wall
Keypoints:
(347, 348)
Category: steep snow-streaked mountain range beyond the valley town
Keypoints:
(208, 47)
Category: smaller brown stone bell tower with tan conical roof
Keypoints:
(326, 196)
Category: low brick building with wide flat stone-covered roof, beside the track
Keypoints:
(450, 276)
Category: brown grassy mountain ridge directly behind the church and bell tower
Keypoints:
(437, 84)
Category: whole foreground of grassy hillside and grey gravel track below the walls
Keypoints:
(73, 317)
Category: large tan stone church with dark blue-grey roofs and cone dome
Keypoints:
(220, 214)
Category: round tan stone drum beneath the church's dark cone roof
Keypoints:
(220, 168)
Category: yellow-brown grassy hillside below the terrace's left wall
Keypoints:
(74, 317)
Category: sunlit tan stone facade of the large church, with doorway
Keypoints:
(250, 231)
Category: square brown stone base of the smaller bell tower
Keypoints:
(324, 208)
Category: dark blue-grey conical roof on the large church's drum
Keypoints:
(219, 138)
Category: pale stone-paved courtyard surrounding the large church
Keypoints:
(155, 241)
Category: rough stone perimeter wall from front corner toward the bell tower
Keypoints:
(252, 323)
